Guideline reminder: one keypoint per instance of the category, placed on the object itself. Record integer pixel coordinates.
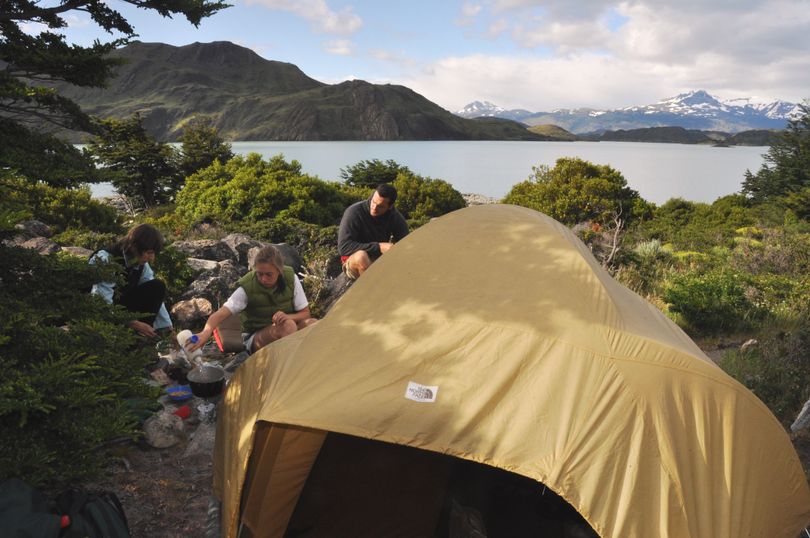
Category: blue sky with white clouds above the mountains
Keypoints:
(530, 54)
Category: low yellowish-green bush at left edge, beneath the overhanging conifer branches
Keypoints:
(62, 209)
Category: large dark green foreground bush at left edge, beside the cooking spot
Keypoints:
(70, 369)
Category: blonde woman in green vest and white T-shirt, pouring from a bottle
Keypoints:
(270, 301)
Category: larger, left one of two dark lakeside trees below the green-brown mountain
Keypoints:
(137, 165)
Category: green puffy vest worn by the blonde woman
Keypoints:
(264, 302)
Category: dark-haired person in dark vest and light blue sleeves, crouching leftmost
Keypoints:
(141, 292)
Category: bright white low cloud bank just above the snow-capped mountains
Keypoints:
(593, 80)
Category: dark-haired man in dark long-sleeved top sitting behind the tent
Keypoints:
(369, 229)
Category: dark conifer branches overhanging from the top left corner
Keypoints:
(33, 62)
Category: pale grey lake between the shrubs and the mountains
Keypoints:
(657, 171)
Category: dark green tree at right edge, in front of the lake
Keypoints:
(786, 171)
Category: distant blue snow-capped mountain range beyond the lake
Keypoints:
(696, 110)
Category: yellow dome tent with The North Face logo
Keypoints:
(492, 335)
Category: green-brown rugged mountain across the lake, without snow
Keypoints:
(250, 98)
